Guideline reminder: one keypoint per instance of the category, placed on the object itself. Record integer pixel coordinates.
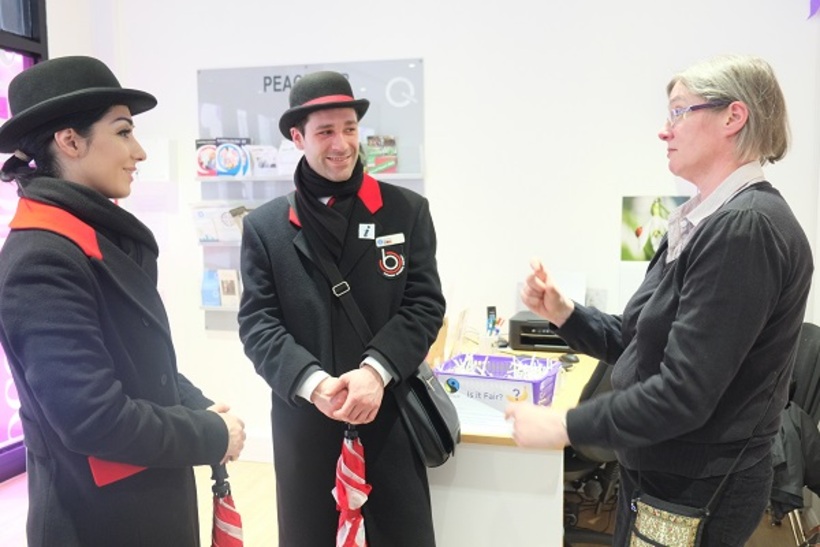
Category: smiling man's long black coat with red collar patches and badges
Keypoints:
(290, 322)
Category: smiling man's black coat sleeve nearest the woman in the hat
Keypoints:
(275, 354)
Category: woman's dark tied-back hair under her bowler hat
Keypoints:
(36, 144)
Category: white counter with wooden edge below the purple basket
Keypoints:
(493, 493)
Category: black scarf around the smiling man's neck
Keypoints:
(327, 224)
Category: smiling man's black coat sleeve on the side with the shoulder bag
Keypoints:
(403, 342)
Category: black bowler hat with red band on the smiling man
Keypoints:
(319, 91)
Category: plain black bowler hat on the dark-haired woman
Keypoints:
(61, 87)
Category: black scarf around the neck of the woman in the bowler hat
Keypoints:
(113, 222)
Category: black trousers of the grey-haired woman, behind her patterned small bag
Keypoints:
(736, 513)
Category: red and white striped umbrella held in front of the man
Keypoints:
(351, 491)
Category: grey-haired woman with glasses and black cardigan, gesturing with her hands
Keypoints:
(704, 349)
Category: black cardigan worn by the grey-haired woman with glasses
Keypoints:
(700, 344)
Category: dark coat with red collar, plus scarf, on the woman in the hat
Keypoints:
(88, 342)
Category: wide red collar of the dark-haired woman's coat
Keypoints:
(32, 214)
